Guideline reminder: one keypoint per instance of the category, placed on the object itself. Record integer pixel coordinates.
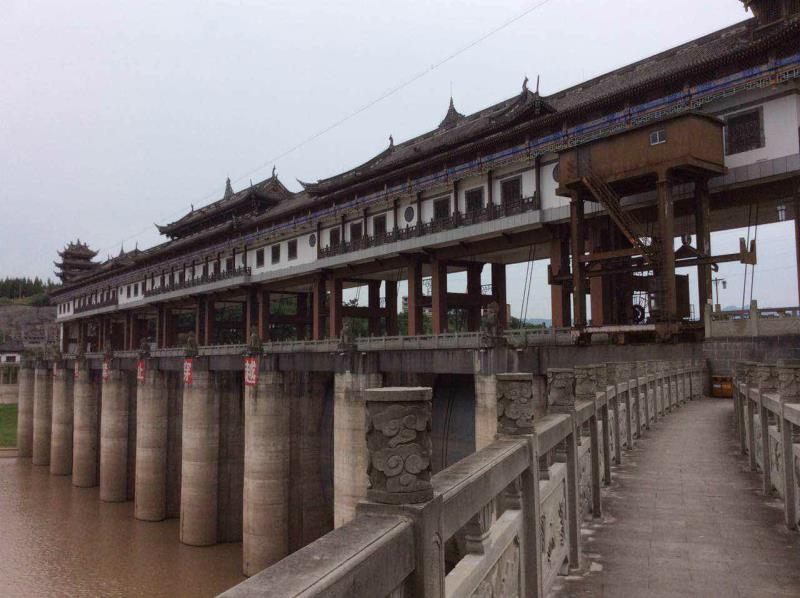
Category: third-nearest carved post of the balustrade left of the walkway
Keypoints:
(561, 399)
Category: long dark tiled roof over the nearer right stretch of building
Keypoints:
(529, 109)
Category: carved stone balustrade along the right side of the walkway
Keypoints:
(767, 412)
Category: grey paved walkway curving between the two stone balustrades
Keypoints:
(685, 517)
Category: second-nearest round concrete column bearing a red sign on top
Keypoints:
(200, 460)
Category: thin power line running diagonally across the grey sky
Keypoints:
(392, 91)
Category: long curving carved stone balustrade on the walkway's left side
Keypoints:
(504, 521)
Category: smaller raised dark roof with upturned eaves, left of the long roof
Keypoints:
(255, 198)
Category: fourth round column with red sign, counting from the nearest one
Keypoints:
(114, 437)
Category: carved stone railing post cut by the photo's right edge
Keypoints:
(789, 392)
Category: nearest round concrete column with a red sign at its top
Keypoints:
(266, 473)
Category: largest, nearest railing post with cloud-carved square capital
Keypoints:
(398, 440)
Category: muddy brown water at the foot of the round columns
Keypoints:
(58, 540)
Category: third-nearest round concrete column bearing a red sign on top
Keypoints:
(150, 493)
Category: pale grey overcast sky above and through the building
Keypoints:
(116, 115)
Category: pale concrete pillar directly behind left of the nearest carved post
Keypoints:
(355, 374)
